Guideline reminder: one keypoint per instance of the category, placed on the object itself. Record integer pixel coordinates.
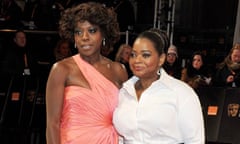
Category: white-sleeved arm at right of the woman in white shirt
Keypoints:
(191, 120)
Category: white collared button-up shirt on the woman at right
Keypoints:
(168, 112)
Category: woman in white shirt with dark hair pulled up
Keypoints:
(155, 108)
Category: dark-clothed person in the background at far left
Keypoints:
(19, 59)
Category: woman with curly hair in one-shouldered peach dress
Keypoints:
(82, 90)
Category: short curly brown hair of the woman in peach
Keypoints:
(96, 14)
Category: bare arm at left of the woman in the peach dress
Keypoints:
(54, 102)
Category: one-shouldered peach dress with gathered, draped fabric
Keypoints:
(87, 113)
